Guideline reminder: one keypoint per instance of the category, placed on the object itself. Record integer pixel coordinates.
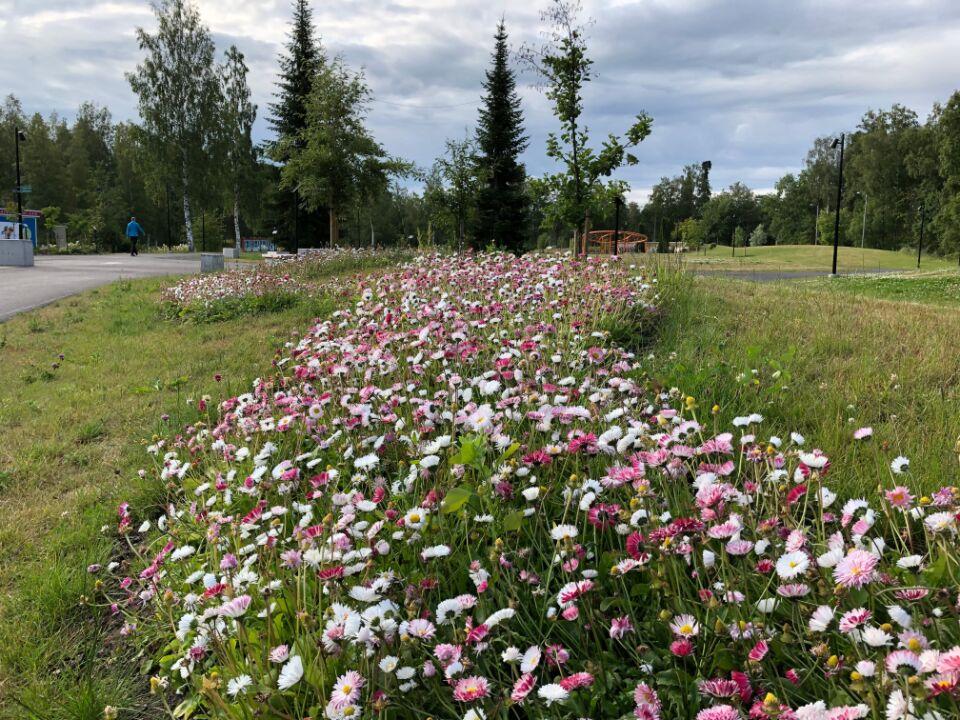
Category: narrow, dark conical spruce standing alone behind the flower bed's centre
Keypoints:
(502, 202)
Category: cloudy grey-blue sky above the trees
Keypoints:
(747, 84)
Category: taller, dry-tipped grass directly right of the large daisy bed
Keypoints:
(821, 363)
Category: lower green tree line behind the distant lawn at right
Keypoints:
(898, 172)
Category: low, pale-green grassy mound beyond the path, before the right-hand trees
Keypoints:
(813, 257)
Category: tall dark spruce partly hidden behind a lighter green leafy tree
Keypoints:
(299, 65)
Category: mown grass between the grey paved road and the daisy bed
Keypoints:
(74, 432)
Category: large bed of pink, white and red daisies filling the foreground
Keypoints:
(460, 499)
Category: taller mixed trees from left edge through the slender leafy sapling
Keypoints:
(189, 168)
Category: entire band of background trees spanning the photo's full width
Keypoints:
(189, 168)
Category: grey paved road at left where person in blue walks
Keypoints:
(54, 277)
